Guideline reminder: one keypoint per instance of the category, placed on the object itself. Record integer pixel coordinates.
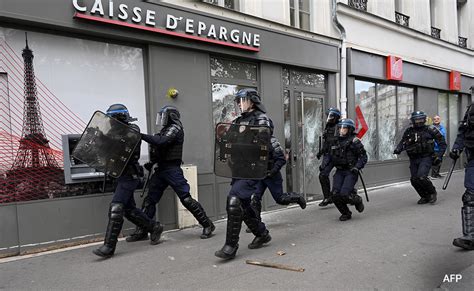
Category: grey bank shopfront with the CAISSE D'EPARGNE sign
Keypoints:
(90, 54)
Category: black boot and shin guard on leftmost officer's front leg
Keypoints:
(113, 230)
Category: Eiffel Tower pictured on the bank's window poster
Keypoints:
(35, 167)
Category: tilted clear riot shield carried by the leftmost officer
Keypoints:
(106, 144)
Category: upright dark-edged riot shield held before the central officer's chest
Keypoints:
(241, 151)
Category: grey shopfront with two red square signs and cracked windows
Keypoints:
(382, 93)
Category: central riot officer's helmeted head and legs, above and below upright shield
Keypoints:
(239, 199)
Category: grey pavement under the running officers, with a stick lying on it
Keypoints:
(394, 244)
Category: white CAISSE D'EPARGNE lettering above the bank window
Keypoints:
(197, 30)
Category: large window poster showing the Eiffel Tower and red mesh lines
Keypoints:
(50, 86)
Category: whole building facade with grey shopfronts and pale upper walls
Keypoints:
(303, 56)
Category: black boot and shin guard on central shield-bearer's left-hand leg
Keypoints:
(234, 224)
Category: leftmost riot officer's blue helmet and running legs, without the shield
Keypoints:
(123, 202)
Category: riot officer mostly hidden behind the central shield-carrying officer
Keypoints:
(274, 181)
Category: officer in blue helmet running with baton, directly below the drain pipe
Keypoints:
(348, 155)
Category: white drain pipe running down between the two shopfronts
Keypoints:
(343, 74)
